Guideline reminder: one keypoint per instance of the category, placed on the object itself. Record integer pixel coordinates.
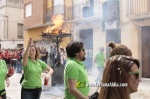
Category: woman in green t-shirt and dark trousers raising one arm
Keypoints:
(32, 83)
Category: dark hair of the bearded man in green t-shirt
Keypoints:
(73, 47)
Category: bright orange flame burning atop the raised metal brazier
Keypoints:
(57, 20)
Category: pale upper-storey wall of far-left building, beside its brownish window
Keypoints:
(15, 16)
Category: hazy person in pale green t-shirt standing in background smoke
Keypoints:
(99, 60)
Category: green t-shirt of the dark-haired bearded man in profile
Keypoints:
(76, 70)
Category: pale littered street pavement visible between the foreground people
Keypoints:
(56, 92)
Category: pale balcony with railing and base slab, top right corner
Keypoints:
(138, 9)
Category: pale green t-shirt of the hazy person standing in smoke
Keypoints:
(100, 59)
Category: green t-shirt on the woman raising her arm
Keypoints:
(32, 74)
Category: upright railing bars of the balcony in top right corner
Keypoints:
(138, 7)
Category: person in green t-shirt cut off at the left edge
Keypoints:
(3, 76)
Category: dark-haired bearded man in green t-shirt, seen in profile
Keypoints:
(75, 75)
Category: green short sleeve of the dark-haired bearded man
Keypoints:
(72, 71)
